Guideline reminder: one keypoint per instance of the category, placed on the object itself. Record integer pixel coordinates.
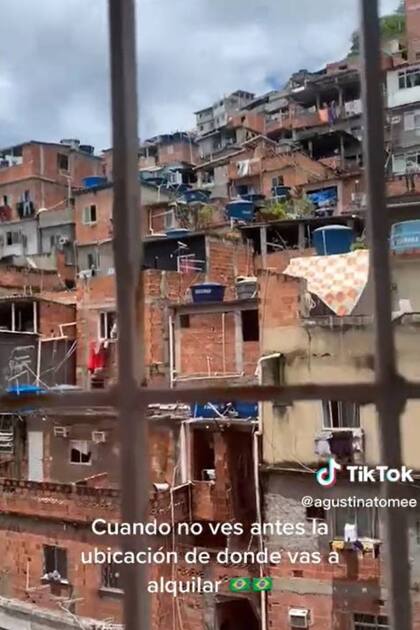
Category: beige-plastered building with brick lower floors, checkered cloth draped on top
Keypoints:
(304, 340)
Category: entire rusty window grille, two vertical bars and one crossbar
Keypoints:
(389, 391)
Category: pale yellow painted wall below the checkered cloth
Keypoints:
(322, 355)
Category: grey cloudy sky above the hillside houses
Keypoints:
(54, 59)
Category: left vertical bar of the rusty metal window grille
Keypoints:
(128, 254)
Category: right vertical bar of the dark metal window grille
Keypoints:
(390, 402)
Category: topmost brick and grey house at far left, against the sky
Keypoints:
(37, 181)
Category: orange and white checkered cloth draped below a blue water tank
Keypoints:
(338, 280)
